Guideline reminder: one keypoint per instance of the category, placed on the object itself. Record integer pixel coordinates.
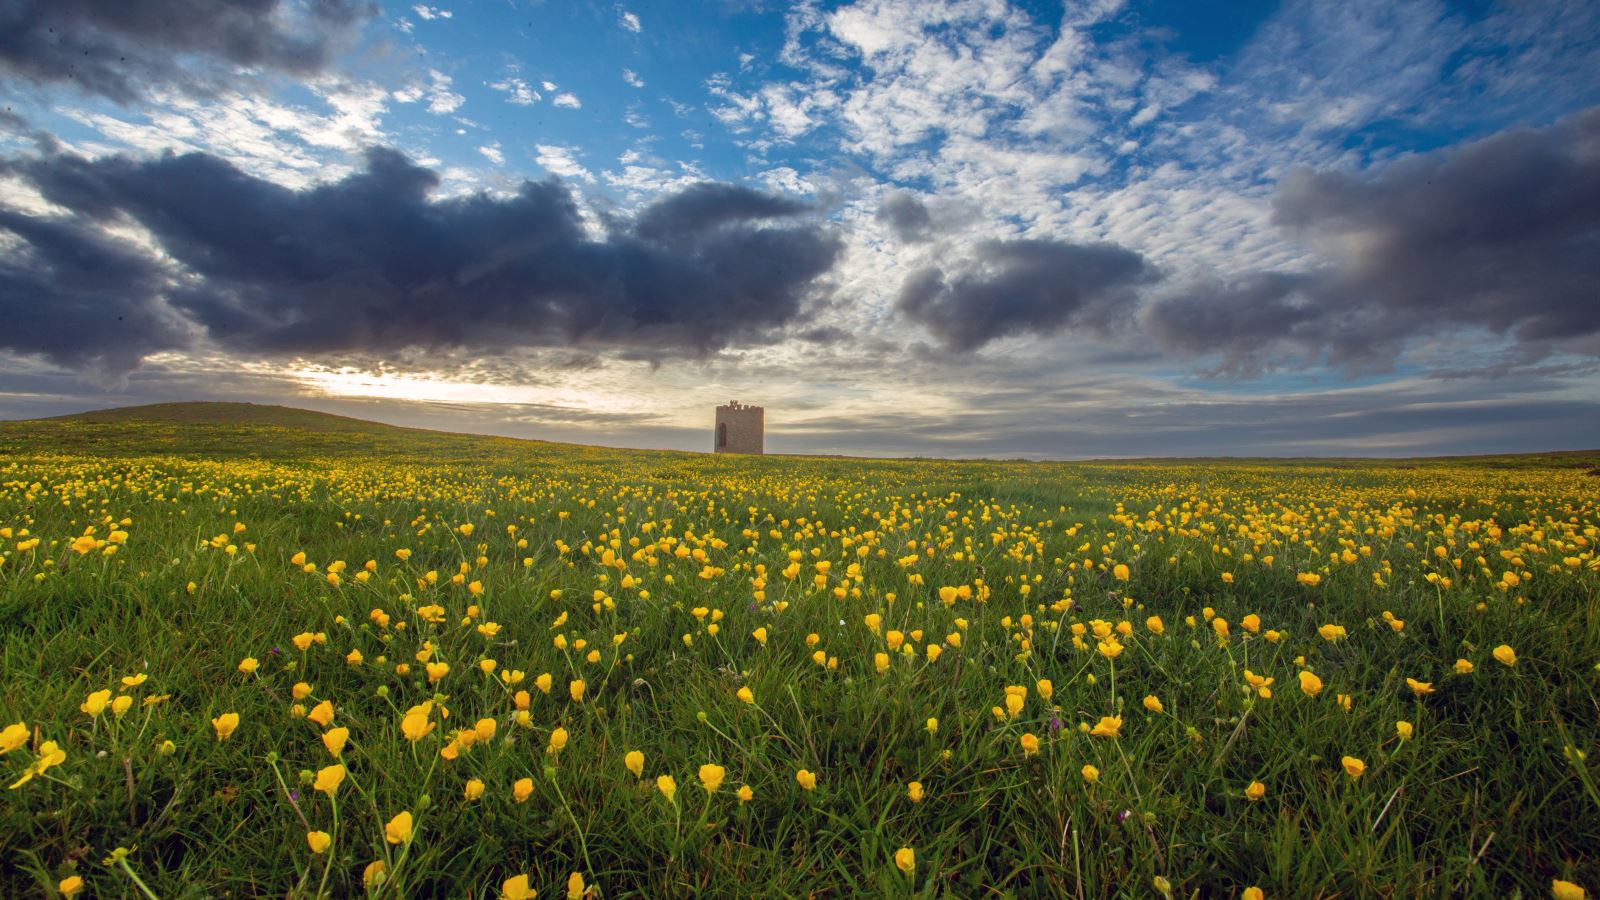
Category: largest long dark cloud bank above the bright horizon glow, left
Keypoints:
(374, 263)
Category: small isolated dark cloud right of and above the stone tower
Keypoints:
(1015, 287)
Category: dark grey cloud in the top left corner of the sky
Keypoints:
(119, 49)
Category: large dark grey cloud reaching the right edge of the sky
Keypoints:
(1502, 235)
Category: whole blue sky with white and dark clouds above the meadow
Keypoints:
(906, 228)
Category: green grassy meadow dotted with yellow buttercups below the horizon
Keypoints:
(263, 653)
